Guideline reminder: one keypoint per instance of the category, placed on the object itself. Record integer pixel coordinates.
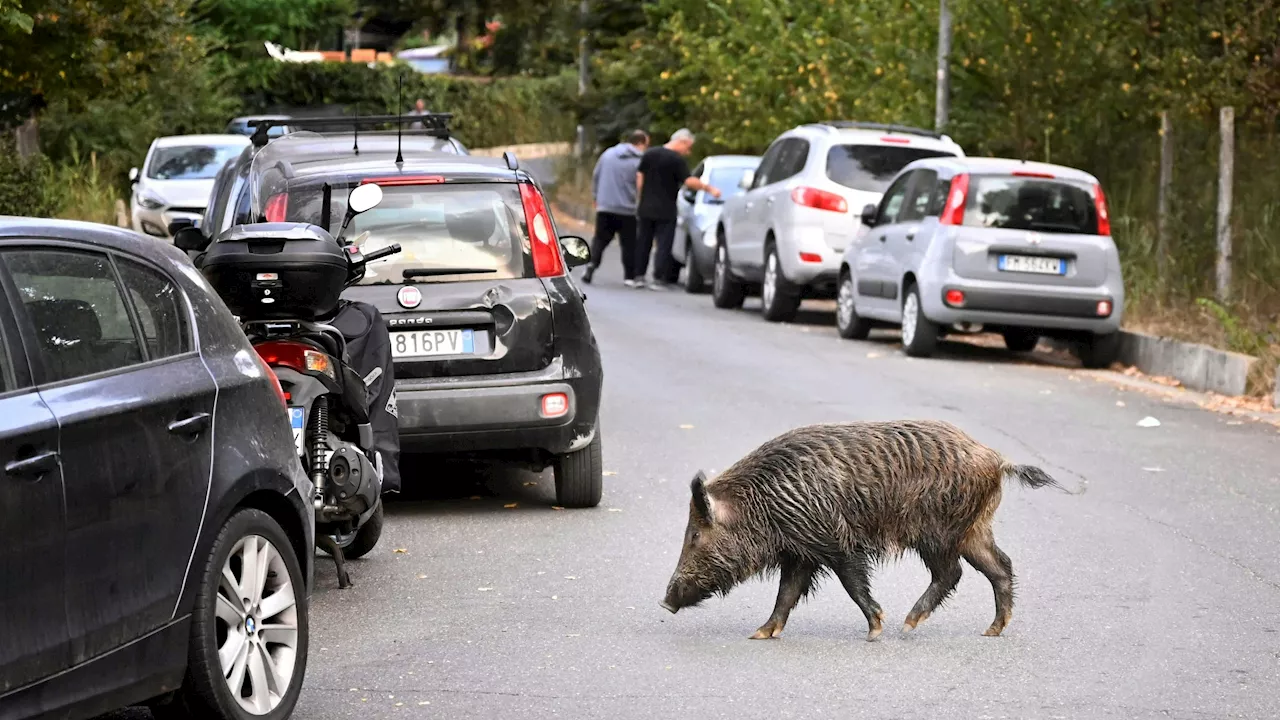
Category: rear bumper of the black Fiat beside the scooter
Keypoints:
(496, 413)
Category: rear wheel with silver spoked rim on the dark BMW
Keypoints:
(207, 692)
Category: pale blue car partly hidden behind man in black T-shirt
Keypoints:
(698, 213)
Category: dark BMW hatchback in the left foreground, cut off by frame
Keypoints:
(157, 525)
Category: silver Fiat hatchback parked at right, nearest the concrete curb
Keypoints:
(1023, 249)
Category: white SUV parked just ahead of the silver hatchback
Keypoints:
(787, 234)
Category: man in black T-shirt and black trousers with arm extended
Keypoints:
(660, 177)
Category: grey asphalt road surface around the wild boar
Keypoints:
(1151, 591)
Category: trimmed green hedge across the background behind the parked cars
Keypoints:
(487, 113)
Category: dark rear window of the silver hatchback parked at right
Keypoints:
(1031, 204)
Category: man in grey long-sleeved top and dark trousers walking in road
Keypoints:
(614, 189)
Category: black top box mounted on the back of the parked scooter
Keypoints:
(278, 271)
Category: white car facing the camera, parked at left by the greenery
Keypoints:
(177, 180)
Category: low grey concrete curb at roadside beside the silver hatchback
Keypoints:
(1197, 367)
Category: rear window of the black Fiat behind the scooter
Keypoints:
(477, 227)
